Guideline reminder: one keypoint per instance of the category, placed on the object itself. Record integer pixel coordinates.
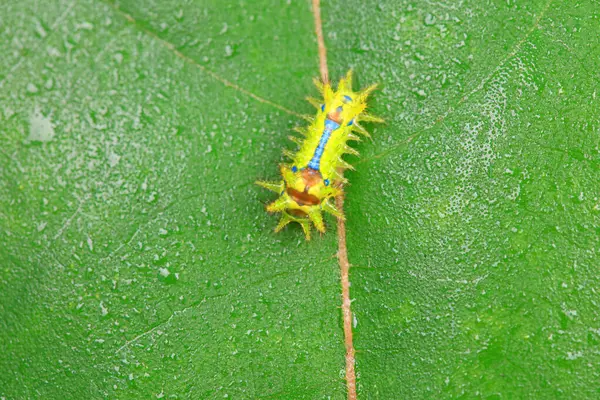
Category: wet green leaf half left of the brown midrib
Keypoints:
(137, 258)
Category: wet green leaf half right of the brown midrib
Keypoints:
(473, 220)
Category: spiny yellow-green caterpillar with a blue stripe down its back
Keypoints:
(307, 184)
